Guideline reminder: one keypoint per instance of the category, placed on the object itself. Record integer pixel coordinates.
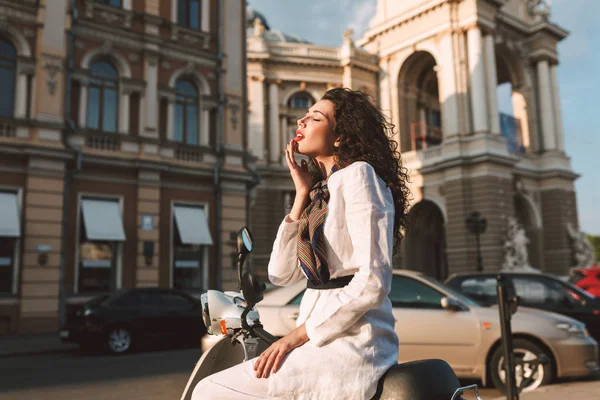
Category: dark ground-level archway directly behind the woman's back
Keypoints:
(424, 244)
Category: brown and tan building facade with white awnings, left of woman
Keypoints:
(122, 150)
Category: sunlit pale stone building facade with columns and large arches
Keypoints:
(434, 66)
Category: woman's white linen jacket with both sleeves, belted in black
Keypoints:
(351, 329)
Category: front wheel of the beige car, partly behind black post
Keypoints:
(524, 350)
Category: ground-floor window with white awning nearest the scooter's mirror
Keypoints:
(190, 238)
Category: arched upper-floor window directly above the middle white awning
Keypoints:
(103, 97)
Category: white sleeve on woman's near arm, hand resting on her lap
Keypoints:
(370, 221)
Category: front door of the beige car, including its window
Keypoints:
(426, 330)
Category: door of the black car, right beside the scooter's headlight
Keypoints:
(181, 315)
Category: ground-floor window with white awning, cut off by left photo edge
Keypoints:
(10, 232)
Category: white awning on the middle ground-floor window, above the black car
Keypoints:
(103, 220)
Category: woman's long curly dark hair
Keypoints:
(365, 134)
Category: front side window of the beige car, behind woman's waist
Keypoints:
(410, 293)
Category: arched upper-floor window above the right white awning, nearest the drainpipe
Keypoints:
(186, 112)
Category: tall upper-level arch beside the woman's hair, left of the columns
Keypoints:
(420, 110)
